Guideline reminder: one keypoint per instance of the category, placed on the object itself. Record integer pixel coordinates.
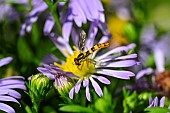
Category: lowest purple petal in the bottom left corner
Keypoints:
(6, 108)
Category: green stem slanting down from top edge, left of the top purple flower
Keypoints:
(53, 9)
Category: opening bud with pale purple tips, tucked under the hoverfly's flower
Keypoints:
(63, 84)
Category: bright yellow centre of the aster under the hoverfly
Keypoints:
(86, 68)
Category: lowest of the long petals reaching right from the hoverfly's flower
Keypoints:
(117, 74)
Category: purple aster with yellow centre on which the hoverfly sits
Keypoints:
(95, 67)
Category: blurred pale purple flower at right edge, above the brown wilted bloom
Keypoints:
(159, 46)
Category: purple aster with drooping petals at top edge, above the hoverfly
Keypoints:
(81, 11)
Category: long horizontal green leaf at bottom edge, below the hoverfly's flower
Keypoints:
(75, 108)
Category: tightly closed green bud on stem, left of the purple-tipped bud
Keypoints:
(39, 86)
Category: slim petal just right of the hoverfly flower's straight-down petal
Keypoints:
(96, 87)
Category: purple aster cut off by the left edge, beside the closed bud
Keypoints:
(6, 88)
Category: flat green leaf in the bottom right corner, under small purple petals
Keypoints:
(157, 110)
